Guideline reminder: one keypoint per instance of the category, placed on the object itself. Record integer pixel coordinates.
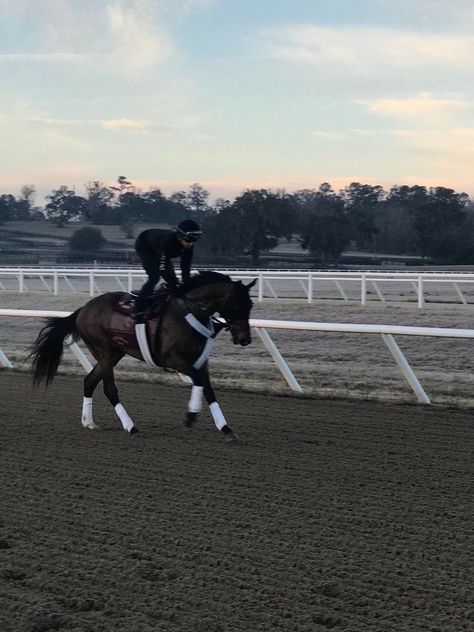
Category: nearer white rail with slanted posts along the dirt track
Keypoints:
(387, 333)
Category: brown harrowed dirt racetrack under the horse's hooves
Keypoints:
(326, 515)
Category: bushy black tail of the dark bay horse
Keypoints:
(47, 350)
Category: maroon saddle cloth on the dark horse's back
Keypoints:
(122, 325)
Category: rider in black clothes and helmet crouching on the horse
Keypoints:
(157, 247)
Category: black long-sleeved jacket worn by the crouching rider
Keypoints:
(156, 247)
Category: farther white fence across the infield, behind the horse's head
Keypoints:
(309, 285)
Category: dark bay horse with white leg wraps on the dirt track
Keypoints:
(180, 341)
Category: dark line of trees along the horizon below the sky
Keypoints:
(434, 222)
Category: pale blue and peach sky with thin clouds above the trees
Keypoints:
(236, 94)
